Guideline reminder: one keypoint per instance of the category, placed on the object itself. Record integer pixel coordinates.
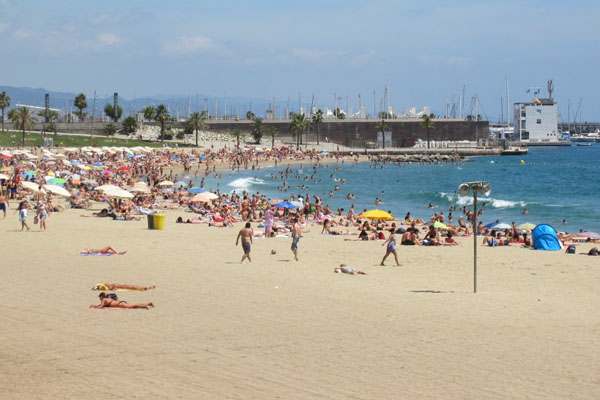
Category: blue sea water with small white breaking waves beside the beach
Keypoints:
(557, 185)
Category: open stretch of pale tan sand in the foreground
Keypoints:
(277, 328)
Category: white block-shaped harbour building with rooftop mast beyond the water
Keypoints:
(537, 120)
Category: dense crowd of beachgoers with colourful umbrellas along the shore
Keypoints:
(131, 183)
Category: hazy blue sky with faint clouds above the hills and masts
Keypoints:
(425, 50)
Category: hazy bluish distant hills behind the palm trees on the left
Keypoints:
(64, 101)
